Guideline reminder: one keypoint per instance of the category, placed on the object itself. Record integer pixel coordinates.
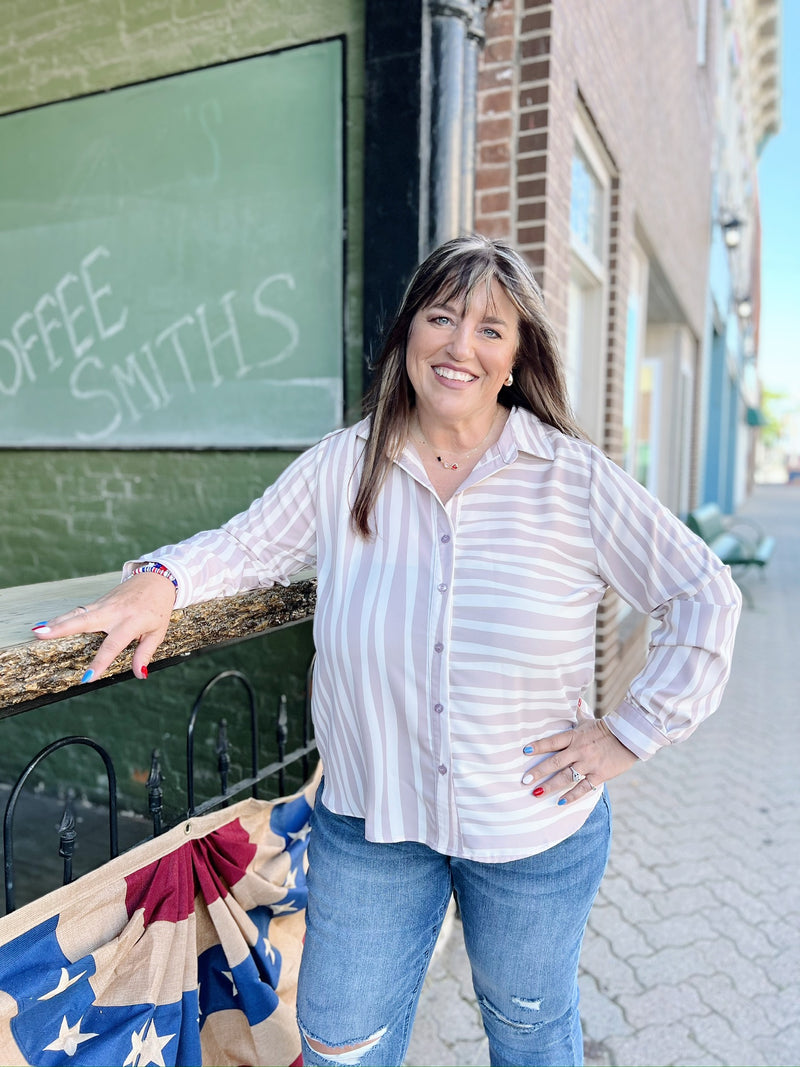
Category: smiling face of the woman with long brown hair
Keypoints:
(459, 356)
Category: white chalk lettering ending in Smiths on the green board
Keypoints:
(74, 321)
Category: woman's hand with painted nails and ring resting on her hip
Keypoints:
(590, 751)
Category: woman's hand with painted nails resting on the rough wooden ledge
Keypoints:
(138, 611)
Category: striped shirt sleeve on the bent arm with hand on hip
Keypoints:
(661, 568)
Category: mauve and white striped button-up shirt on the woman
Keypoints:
(465, 631)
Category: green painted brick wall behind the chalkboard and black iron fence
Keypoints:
(70, 514)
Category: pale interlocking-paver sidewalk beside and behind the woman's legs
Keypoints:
(693, 952)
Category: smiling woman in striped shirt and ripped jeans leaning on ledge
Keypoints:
(463, 536)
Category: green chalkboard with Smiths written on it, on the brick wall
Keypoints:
(172, 261)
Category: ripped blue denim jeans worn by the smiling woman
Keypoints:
(375, 913)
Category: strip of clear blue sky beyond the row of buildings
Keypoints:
(779, 187)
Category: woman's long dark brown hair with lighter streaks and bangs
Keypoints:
(450, 274)
